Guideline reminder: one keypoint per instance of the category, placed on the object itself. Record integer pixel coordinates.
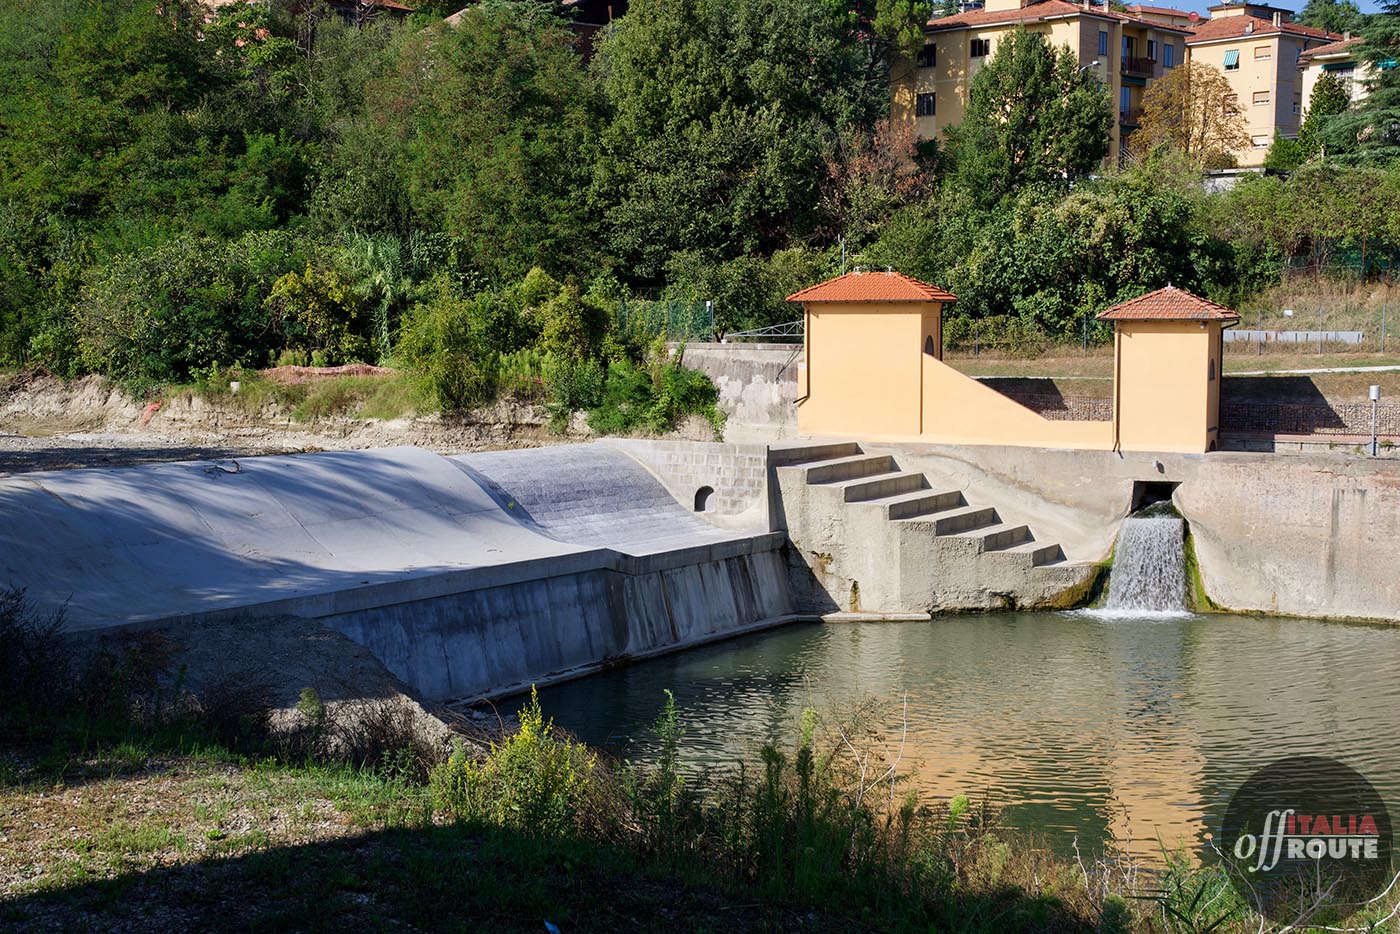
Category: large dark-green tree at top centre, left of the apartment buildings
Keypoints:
(720, 110)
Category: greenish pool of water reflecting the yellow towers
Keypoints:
(1081, 726)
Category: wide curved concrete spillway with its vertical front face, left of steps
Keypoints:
(465, 576)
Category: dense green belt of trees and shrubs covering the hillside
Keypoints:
(183, 193)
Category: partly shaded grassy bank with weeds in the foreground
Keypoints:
(127, 804)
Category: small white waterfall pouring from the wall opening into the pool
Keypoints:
(1149, 568)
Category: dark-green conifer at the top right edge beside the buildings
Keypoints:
(1371, 131)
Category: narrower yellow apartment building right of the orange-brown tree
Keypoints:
(1259, 50)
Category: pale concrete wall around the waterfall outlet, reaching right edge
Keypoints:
(1308, 536)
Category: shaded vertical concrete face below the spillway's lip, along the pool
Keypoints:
(498, 641)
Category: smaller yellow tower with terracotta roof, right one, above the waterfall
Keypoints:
(1167, 370)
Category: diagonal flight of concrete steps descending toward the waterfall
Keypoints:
(876, 481)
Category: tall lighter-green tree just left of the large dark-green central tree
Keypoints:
(492, 125)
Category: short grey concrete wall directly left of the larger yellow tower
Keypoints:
(757, 383)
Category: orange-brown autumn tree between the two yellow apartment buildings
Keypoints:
(1193, 109)
